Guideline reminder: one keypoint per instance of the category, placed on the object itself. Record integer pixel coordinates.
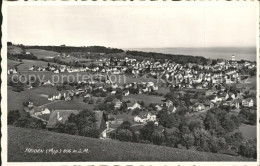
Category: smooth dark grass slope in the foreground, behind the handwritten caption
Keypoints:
(99, 150)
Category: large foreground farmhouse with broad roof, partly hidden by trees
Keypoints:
(61, 116)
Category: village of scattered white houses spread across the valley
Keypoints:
(207, 80)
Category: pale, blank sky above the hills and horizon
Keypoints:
(135, 26)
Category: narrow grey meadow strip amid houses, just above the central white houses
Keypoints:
(144, 97)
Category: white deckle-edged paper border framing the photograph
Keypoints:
(4, 141)
